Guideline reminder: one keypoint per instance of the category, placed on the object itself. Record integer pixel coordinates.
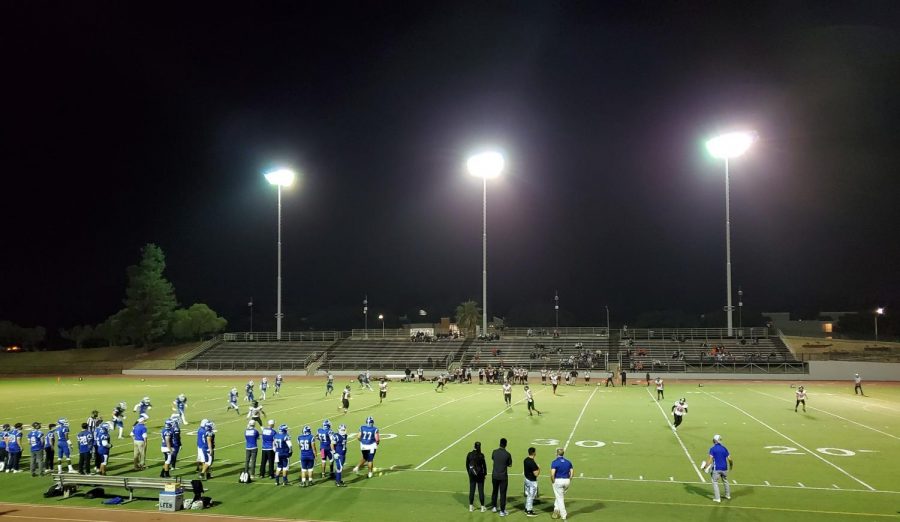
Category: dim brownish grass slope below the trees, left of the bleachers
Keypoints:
(91, 360)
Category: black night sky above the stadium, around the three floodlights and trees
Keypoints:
(126, 123)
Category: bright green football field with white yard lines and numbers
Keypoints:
(838, 461)
